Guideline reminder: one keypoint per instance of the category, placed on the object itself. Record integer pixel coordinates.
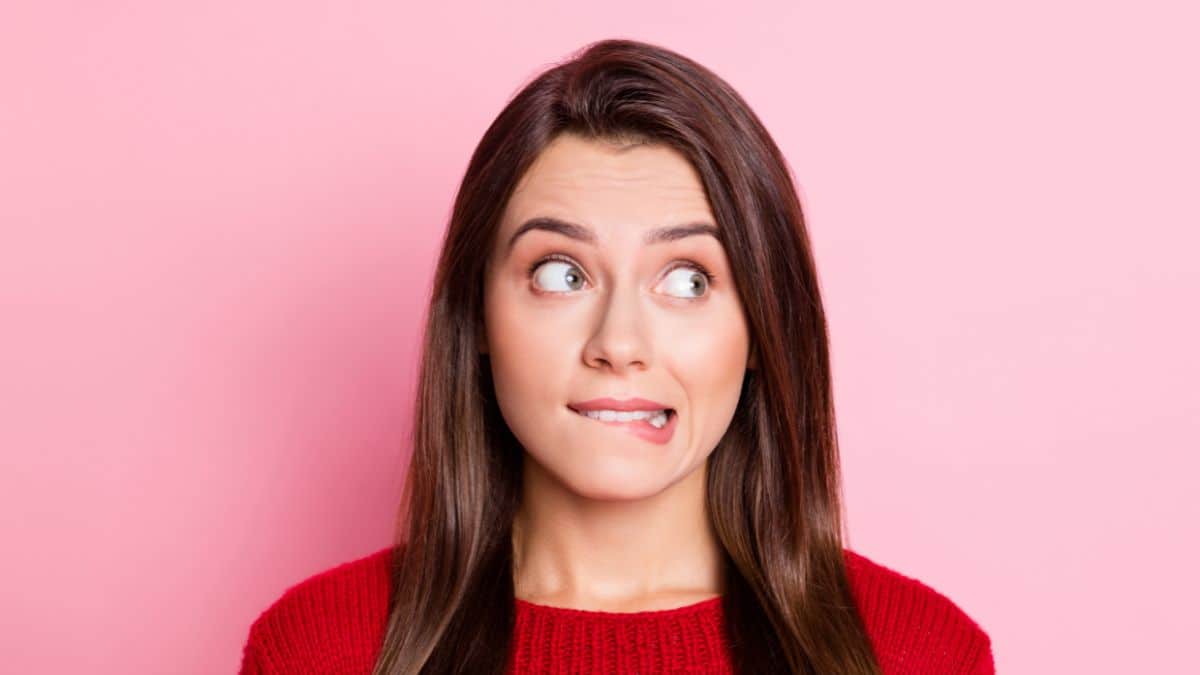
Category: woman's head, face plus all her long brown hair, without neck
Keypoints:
(621, 141)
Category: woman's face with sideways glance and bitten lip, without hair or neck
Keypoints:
(602, 312)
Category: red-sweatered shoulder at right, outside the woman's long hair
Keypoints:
(914, 628)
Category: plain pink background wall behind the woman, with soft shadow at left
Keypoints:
(220, 223)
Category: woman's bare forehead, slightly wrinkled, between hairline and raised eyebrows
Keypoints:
(609, 186)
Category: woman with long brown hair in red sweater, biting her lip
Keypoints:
(625, 447)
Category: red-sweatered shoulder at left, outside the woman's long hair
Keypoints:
(334, 618)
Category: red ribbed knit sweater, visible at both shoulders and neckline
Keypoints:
(335, 622)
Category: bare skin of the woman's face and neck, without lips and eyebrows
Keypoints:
(610, 522)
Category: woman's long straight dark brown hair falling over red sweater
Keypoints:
(773, 483)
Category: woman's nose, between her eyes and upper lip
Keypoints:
(620, 341)
